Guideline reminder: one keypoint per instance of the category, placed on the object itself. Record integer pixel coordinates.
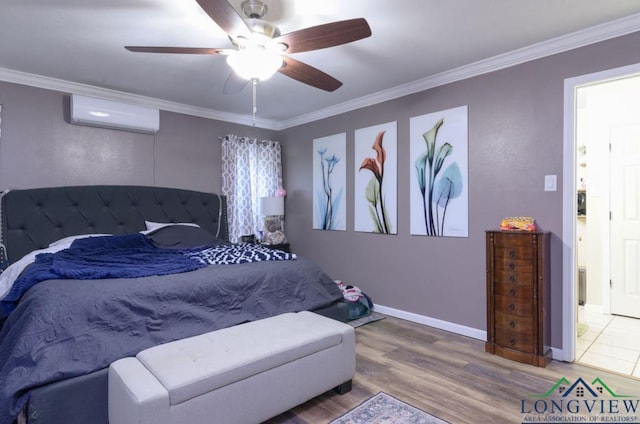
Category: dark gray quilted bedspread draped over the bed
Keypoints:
(66, 328)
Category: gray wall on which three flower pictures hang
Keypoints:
(515, 138)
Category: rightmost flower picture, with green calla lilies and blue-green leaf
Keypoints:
(439, 154)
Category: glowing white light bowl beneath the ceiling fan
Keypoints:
(255, 63)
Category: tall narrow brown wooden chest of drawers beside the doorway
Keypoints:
(518, 296)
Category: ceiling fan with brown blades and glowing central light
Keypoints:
(260, 50)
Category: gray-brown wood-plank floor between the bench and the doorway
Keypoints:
(448, 375)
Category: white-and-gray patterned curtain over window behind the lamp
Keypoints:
(251, 169)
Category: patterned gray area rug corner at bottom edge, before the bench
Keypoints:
(386, 409)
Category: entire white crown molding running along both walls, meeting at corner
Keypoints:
(595, 34)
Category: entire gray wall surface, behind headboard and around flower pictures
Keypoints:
(515, 138)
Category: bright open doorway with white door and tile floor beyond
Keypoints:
(606, 182)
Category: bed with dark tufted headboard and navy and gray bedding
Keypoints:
(63, 332)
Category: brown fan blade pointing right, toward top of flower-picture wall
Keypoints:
(326, 35)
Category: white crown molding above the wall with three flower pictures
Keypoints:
(595, 34)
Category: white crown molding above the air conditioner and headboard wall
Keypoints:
(69, 87)
